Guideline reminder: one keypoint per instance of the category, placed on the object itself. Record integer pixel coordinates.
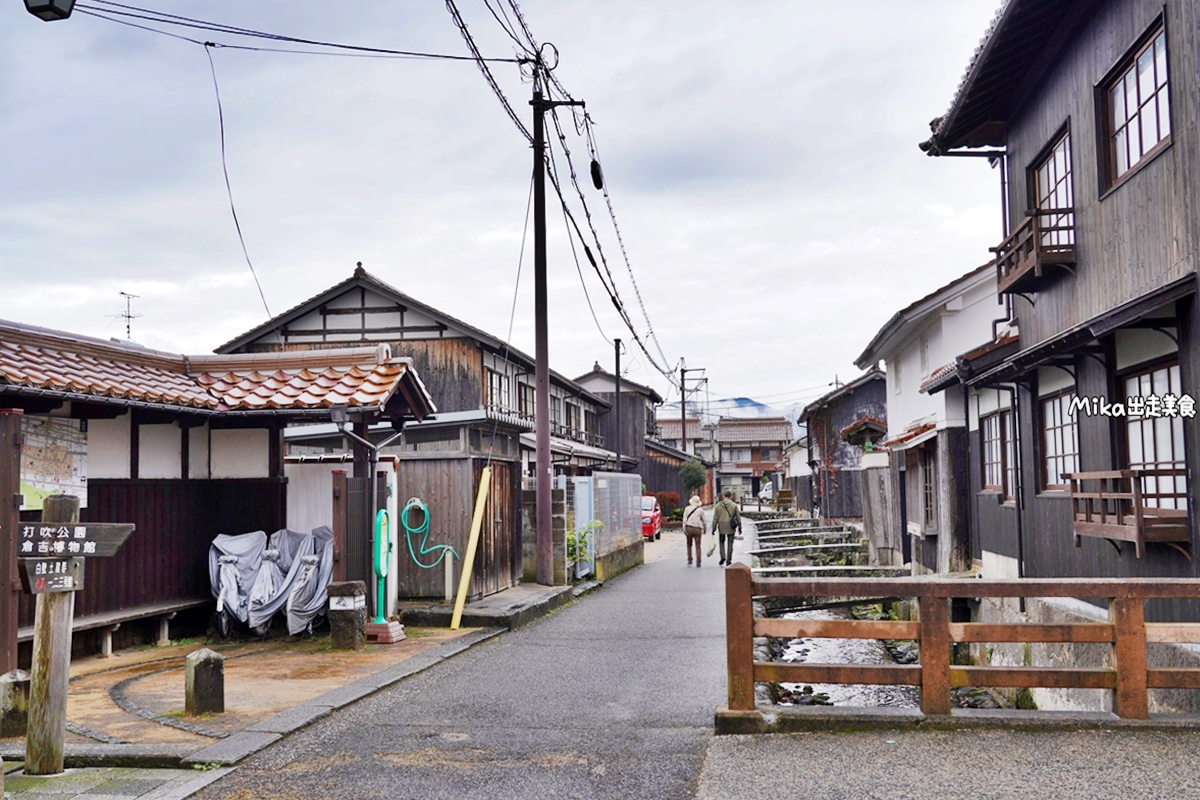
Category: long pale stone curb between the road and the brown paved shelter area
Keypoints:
(261, 736)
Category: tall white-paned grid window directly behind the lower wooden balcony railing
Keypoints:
(1156, 444)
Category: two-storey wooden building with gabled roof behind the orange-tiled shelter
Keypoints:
(488, 418)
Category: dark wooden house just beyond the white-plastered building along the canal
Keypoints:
(836, 462)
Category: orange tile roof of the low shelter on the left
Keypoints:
(39, 359)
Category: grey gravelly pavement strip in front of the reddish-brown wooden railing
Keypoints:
(934, 766)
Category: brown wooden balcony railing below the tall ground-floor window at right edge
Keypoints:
(1117, 506)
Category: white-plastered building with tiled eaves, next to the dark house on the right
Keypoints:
(928, 500)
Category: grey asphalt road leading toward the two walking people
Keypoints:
(610, 697)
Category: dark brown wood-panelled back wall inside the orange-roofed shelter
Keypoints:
(166, 560)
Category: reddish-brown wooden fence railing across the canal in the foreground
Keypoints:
(1127, 631)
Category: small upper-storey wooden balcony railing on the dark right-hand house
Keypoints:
(1047, 239)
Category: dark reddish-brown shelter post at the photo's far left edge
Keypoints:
(10, 518)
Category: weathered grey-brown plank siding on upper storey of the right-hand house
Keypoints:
(1145, 233)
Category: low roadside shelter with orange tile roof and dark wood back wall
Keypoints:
(185, 448)
